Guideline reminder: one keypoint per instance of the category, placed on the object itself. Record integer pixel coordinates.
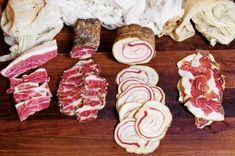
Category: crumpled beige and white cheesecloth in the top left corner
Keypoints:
(27, 23)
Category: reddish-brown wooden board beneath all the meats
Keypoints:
(49, 132)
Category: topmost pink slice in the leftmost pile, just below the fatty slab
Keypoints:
(39, 76)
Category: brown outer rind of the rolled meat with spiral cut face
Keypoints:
(134, 30)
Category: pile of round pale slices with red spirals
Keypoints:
(144, 117)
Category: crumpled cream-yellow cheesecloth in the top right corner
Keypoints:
(215, 19)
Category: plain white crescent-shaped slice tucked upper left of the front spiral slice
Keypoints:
(127, 108)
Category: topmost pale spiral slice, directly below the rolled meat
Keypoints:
(144, 73)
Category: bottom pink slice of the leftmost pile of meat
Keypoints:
(30, 107)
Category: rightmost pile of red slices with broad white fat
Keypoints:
(201, 87)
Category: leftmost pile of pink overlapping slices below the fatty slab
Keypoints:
(31, 93)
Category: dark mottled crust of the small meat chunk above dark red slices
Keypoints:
(87, 33)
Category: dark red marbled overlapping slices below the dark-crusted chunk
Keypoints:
(82, 93)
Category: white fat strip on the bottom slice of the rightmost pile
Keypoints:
(197, 112)
